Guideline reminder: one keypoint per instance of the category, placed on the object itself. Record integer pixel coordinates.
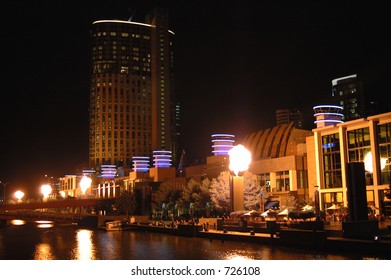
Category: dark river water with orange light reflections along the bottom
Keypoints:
(43, 241)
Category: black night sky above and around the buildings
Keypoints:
(236, 61)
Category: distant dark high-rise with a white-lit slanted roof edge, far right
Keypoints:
(348, 92)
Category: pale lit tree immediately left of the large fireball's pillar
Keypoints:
(220, 192)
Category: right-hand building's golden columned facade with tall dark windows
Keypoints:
(333, 147)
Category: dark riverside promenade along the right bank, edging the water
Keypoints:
(329, 239)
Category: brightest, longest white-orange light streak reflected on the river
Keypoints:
(85, 249)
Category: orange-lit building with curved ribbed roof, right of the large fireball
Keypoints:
(279, 160)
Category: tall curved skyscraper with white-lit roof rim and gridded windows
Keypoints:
(133, 108)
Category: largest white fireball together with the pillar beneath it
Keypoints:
(240, 159)
